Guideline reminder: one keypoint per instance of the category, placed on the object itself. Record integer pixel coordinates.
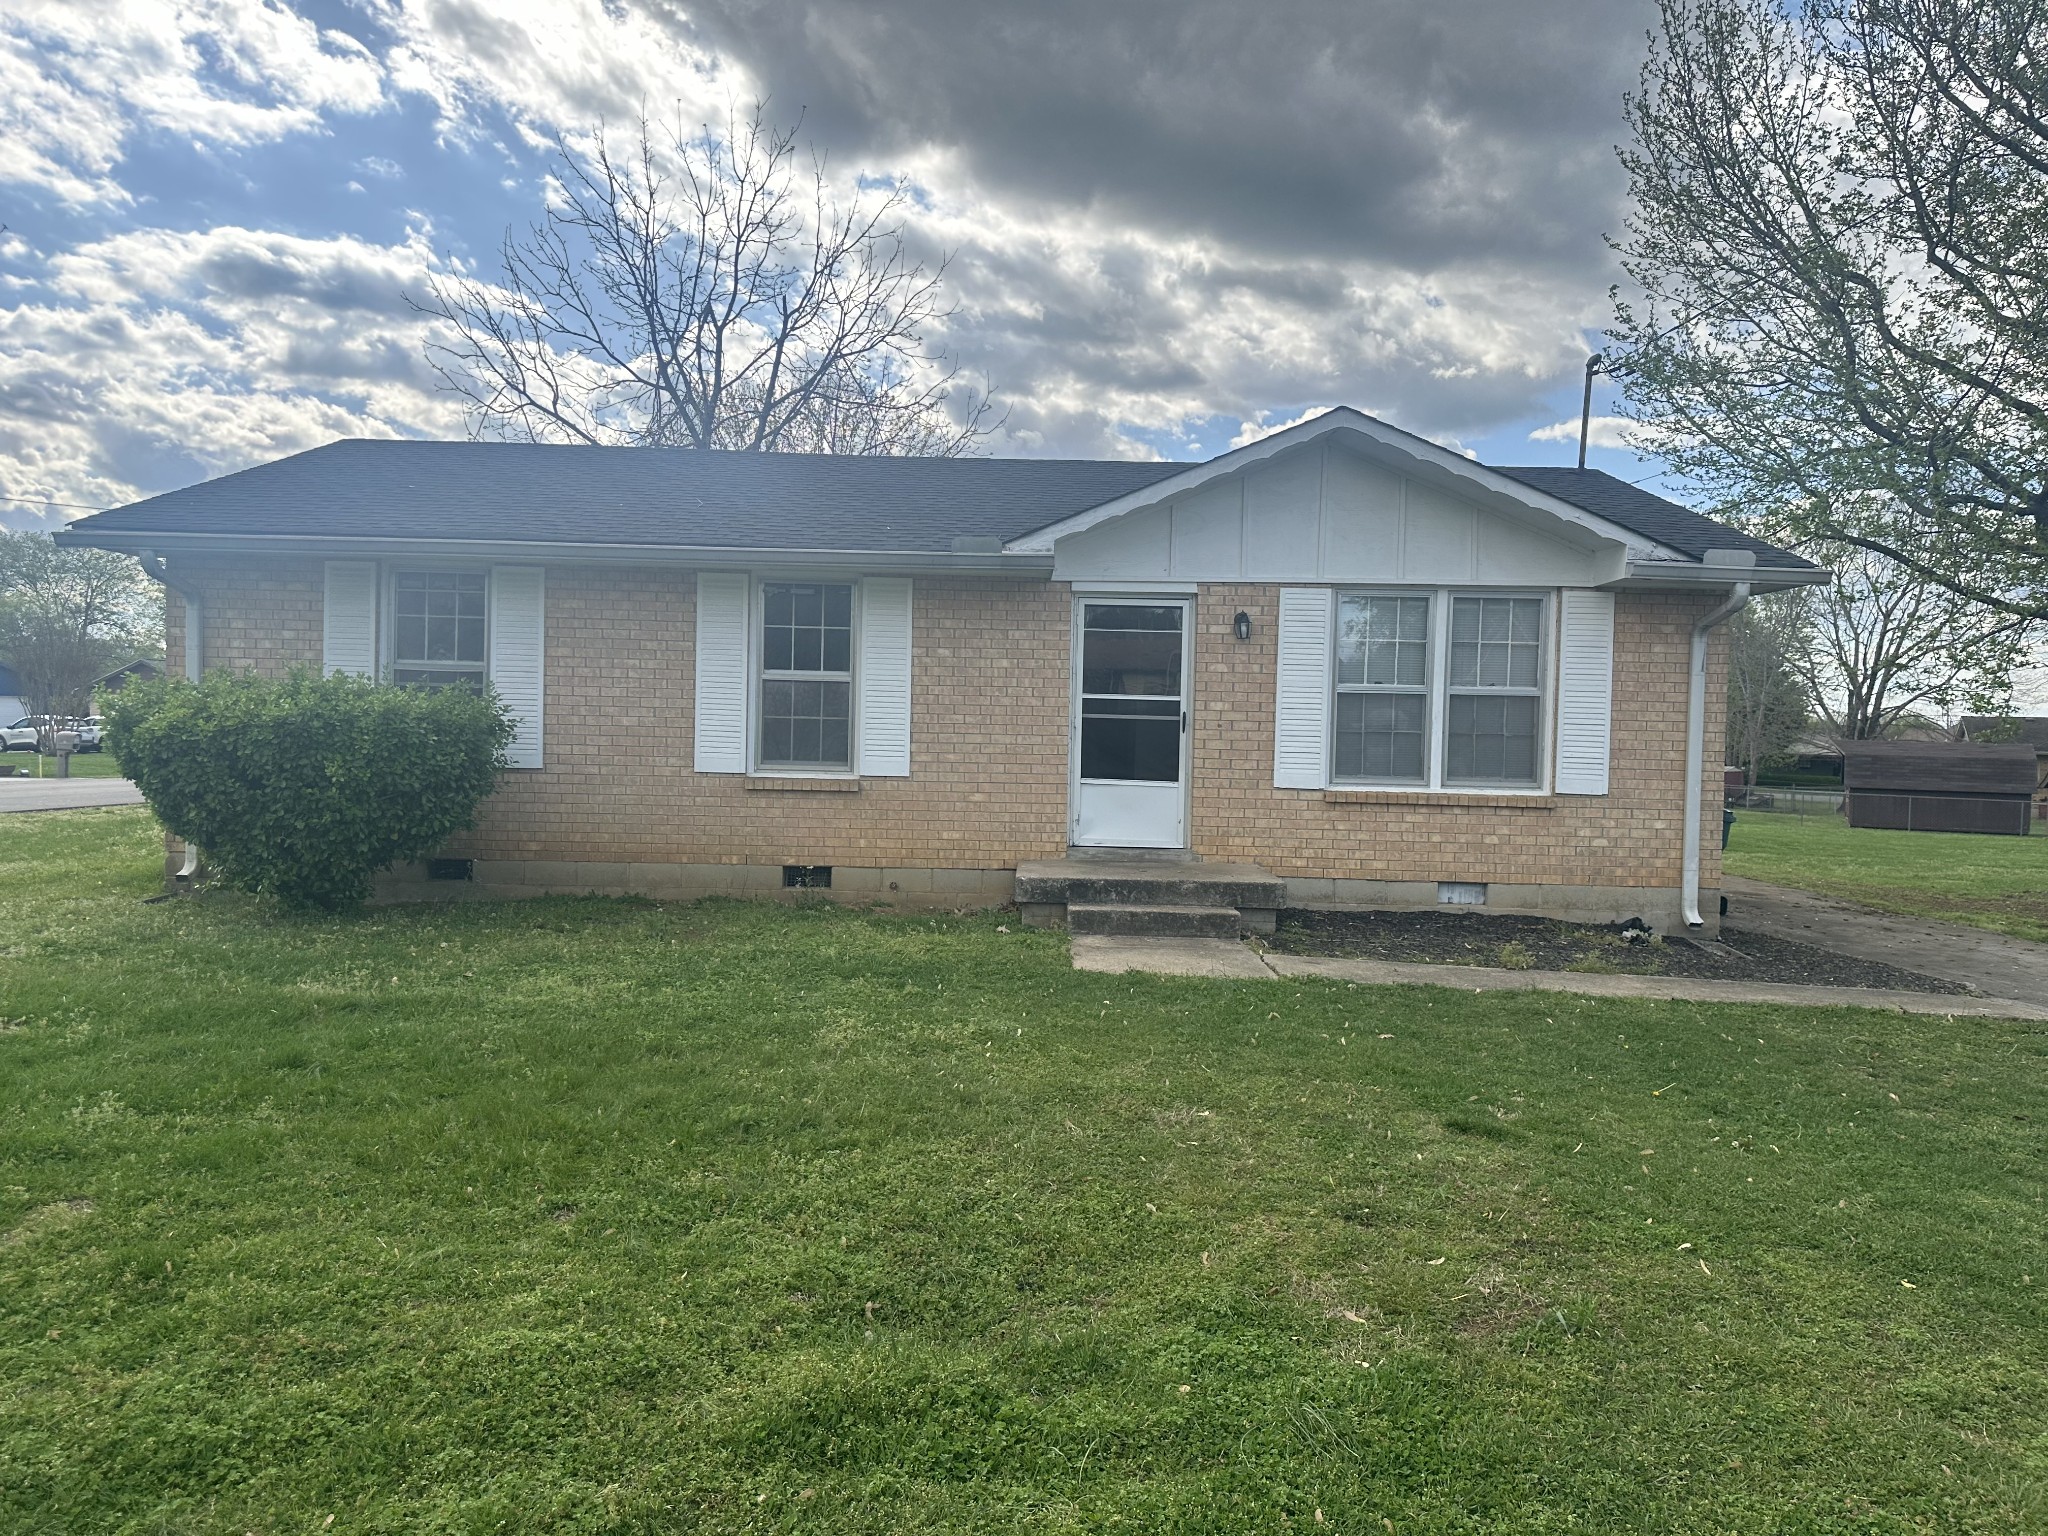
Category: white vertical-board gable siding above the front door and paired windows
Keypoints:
(1326, 515)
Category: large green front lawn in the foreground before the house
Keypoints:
(620, 1218)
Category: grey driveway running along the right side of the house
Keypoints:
(1971, 957)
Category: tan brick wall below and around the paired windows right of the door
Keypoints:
(1629, 837)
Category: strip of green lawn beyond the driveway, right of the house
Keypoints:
(1996, 884)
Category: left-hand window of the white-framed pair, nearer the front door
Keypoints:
(1383, 689)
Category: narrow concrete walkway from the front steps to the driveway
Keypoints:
(1224, 957)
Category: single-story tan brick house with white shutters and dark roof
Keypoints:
(1375, 669)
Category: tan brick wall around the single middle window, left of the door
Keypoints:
(988, 740)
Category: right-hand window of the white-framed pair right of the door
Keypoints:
(1494, 708)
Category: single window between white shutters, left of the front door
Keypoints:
(806, 677)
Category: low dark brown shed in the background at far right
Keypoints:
(1940, 785)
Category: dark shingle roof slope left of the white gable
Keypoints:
(636, 497)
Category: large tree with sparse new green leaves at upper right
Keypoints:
(1840, 243)
